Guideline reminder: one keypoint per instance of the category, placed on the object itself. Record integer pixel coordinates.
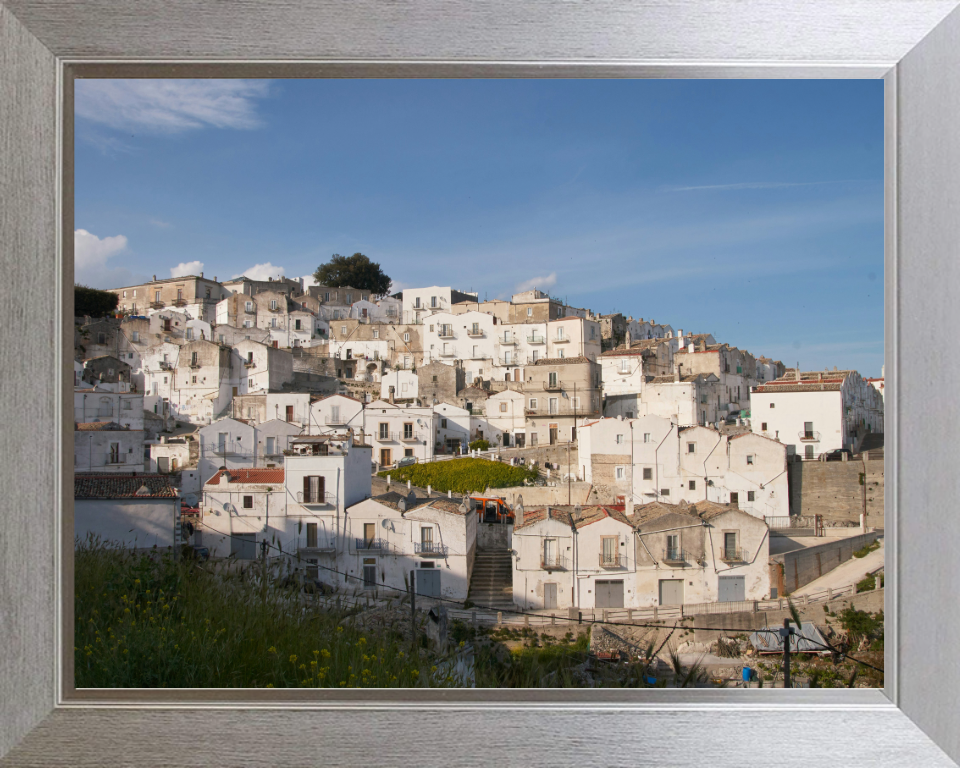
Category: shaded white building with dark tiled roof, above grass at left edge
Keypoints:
(136, 511)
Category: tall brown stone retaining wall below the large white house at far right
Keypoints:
(833, 489)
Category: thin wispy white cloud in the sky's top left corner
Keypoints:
(170, 106)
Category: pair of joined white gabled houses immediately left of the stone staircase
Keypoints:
(392, 535)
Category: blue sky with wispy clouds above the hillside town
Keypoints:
(752, 210)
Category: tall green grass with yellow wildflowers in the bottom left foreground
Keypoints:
(148, 621)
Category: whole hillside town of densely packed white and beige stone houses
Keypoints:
(255, 420)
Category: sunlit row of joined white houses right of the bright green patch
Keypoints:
(651, 459)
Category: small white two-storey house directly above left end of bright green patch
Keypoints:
(397, 431)
